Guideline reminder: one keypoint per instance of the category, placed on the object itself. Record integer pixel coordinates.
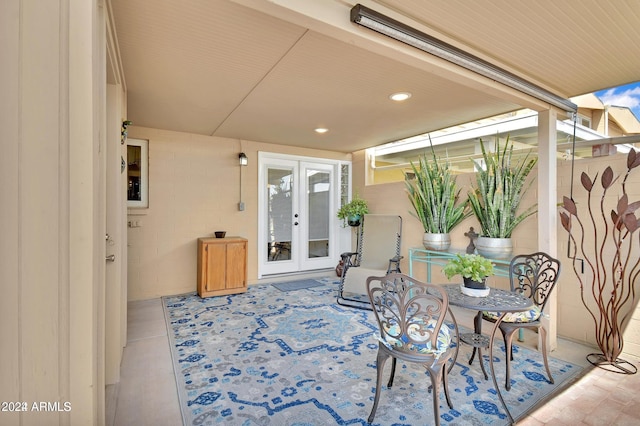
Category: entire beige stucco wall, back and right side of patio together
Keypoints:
(194, 192)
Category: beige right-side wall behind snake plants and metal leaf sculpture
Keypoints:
(574, 322)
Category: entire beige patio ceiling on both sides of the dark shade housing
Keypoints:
(272, 71)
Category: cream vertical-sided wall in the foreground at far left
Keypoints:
(49, 257)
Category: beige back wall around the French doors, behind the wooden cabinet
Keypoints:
(194, 190)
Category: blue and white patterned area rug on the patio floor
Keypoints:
(268, 357)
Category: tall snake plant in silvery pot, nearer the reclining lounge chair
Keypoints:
(434, 196)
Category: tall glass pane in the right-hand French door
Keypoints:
(319, 214)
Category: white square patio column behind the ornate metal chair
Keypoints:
(547, 210)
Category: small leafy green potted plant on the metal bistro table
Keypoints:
(474, 270)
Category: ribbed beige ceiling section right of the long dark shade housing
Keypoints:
(570, 48)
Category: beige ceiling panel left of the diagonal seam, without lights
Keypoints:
(189, 64)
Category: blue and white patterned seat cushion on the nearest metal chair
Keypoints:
(403, 342)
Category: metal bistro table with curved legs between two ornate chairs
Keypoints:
(498, 300)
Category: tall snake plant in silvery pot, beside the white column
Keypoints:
(501, 183)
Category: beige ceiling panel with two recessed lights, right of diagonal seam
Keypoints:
(361, 111)
